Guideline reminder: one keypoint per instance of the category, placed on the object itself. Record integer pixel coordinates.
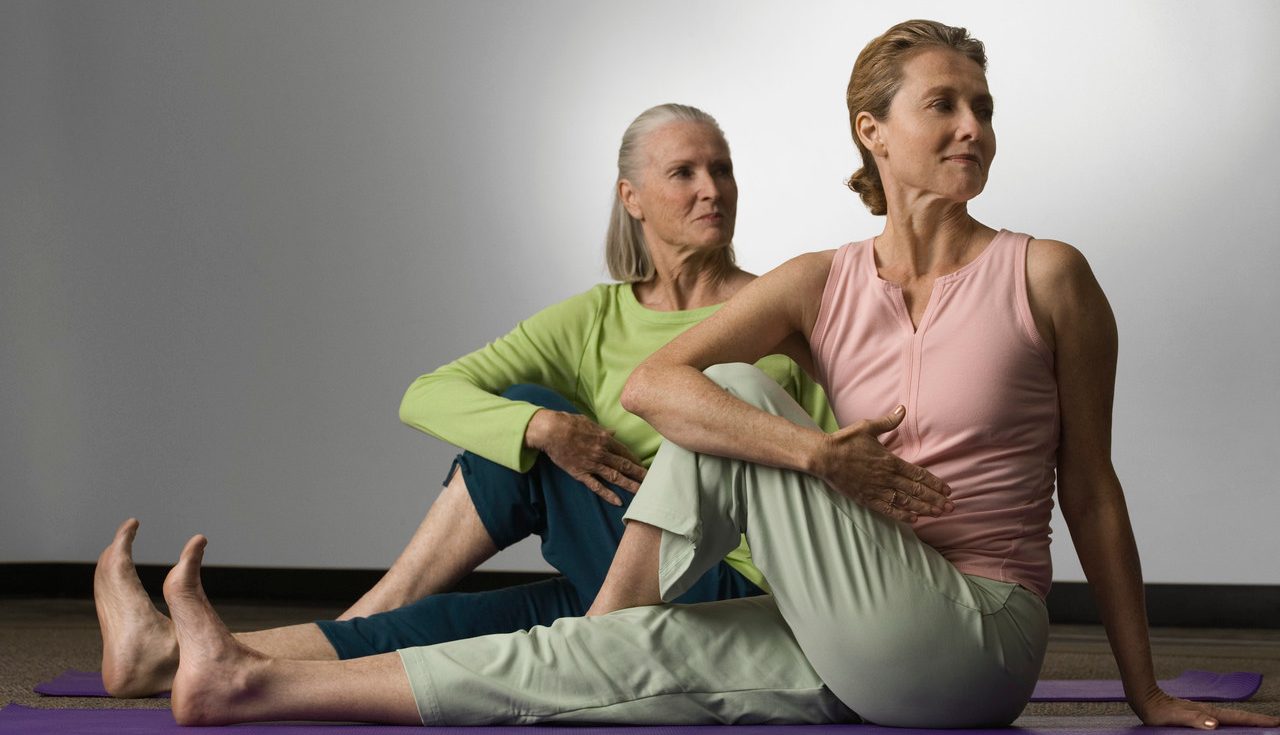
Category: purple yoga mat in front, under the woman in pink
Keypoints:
(16, 720)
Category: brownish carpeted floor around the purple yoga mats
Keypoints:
(42, 638)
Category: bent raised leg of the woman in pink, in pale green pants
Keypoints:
(897, 632)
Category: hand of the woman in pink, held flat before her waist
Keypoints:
(854, 463)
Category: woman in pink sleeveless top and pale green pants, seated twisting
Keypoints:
(908, 553)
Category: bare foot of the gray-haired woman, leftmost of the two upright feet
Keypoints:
(140, 652)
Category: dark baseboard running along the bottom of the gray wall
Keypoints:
(1069, 602)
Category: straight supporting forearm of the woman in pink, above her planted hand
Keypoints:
(1109, 555)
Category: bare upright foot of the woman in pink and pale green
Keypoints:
(220, 681)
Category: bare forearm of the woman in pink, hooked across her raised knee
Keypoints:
(689, 409)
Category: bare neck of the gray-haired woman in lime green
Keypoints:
(689, 280)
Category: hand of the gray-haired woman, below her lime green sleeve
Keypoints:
(587, 451)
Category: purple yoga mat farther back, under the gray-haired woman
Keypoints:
(1199, 686)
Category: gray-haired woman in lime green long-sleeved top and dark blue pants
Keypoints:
(550, 450)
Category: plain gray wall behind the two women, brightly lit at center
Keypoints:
(232, 234)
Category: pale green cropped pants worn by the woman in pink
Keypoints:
(865, 618)
